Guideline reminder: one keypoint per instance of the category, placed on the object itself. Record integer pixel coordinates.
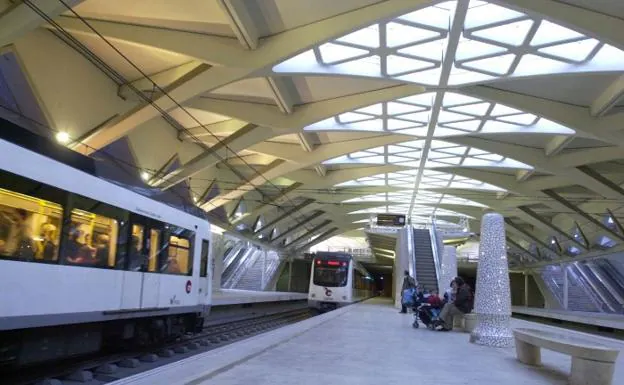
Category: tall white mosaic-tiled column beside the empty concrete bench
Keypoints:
(493, 296)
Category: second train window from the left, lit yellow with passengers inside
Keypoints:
(91, 239)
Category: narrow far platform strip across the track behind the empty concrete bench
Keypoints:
(614, 321)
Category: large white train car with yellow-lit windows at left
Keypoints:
(85, 263)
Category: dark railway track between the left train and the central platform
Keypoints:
(107, 368)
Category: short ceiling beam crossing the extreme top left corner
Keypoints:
(19, 18)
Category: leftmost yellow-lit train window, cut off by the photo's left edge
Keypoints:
(29, 227)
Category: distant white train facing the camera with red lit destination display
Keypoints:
(337, 279)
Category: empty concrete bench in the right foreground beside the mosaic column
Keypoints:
(592, 363)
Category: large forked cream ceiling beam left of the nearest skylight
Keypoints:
(237, 63)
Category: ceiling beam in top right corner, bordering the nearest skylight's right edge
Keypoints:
(609, 29)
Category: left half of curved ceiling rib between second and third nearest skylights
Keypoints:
(318, 155)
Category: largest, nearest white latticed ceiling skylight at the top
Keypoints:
(495, 42)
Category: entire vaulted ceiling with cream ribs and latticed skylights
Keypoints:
(298, 120)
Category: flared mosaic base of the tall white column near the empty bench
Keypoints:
(492, 330)
